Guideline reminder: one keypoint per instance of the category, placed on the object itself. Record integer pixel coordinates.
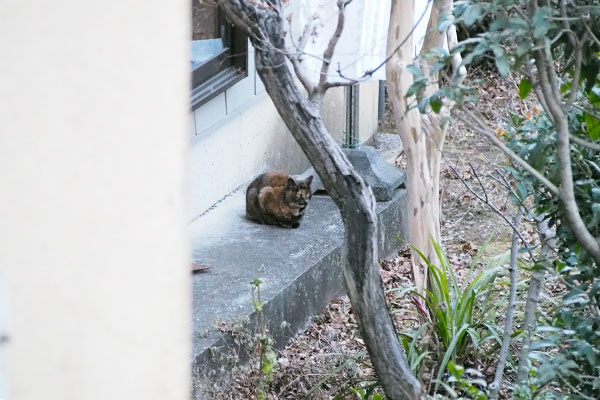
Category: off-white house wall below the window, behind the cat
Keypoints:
(239, 134)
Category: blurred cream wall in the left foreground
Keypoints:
(93, 253)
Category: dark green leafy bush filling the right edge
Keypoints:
(560, 39)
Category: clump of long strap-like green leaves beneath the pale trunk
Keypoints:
(459, 318)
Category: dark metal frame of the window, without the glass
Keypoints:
(223, 70)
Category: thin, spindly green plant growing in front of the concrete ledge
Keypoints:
(267, 357)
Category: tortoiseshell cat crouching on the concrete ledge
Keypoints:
(275, 198)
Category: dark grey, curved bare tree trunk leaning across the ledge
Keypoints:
(264, 24)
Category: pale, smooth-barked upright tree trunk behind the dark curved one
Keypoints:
(422, 136)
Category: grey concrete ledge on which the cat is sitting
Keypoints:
(300, 269)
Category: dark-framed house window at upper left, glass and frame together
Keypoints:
(218, 53)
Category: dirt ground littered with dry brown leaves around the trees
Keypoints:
(330, 357)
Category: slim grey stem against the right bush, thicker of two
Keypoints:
(548, 240)
